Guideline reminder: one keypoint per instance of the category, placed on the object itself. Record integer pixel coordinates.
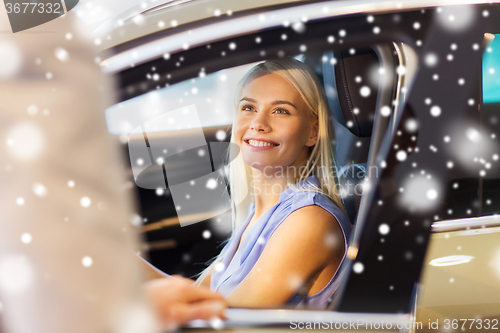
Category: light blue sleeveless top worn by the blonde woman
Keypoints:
(237, 263)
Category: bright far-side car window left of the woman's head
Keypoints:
(212, 96)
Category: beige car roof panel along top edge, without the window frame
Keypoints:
(153, 16)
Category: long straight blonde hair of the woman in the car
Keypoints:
(321, 160)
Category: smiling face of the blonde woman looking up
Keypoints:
(274, 127)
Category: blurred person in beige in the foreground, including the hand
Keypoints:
(67, 224)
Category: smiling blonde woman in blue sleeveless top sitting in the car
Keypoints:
(290, 235)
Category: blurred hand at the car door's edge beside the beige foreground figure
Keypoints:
(176, 301)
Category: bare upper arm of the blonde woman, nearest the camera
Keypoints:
(301, 247)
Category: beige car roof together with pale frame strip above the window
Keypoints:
(138, 38)
